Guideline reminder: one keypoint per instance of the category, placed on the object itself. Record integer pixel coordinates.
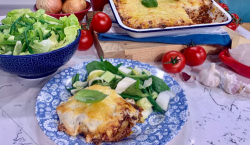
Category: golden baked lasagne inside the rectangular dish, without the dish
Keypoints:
(168, 13)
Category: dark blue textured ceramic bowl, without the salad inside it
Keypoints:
(38, 65)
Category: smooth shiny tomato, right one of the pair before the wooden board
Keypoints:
(195, 55)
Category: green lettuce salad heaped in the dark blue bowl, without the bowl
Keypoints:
(24, 32)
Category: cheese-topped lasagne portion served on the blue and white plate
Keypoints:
(108, 120)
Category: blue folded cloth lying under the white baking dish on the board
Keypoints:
(217, 38)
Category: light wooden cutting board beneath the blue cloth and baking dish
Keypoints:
(145, 52)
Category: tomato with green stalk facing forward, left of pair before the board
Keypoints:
(173, 62)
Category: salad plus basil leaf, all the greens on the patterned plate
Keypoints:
(136, 85)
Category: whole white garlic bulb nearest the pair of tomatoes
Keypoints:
(210, 77)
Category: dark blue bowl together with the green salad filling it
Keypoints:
(34, 44)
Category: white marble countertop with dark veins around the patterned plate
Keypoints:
(215, 117)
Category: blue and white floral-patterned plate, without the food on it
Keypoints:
(157, 128)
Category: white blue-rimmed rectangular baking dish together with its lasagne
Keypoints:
(169, 17)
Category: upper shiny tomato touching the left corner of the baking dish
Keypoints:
(101, 22)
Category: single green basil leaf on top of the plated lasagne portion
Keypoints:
(90, 96)
